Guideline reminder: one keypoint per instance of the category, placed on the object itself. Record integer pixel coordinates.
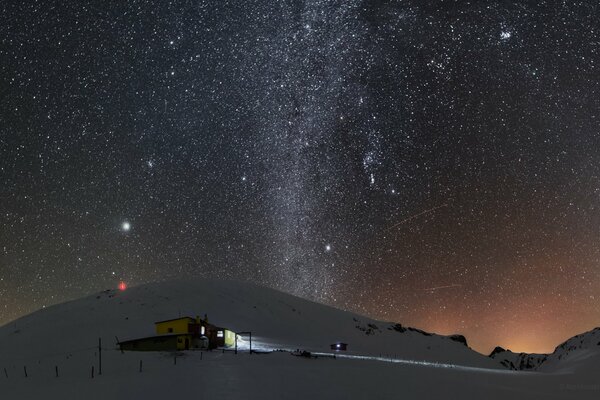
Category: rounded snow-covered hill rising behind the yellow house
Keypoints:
(277, 320)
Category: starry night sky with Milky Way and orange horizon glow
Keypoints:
(431, 163)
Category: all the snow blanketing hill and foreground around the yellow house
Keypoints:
(383, 364)
